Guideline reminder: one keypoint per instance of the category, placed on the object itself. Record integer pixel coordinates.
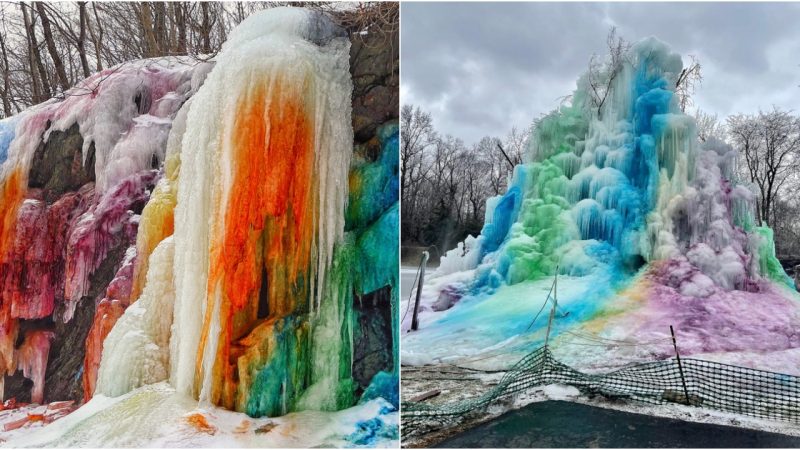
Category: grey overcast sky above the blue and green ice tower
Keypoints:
(480, 68)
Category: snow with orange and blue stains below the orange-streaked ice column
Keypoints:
(155, 416)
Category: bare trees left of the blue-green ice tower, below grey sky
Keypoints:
(445, 184)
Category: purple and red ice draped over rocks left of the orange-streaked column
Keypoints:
(76, 170)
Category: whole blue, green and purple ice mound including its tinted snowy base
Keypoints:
(646, 226)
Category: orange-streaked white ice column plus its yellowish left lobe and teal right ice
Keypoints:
(265, 261)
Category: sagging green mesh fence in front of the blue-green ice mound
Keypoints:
(710, 385)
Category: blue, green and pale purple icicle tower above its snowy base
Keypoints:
(620, 189)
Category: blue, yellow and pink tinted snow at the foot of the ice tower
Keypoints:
(495, 331)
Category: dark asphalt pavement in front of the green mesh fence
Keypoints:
(558, 424)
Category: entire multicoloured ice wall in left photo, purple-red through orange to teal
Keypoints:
(225, 207)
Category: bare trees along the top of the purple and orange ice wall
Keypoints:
(46, 48)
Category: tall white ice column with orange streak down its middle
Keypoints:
(274, 207)
